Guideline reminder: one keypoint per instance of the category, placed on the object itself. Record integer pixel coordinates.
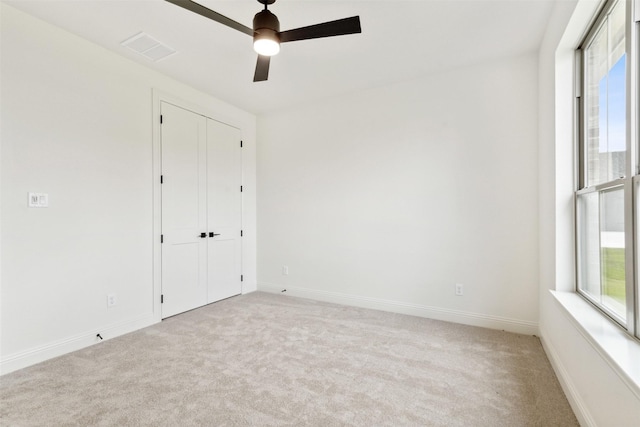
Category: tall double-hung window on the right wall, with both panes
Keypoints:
(608, 190)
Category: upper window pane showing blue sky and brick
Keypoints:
(606, 100)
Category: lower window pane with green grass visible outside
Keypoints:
(602, 249)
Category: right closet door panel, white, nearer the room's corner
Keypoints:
(224, 210)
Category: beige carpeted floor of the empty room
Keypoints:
(267, 360)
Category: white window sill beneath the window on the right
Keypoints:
(617, 348)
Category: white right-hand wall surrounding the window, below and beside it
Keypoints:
(598, 391)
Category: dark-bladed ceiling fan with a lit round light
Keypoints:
(266, 31)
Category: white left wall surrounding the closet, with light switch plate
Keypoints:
(77, 124)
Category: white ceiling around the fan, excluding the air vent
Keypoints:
(400, 40)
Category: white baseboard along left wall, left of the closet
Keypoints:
(48, 351)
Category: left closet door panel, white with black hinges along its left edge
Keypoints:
(184, 210)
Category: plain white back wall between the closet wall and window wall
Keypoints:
(388, 198)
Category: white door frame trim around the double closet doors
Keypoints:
(158, 97)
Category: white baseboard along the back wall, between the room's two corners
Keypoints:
(448, 315)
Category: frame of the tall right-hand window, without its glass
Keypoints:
(630, 183)
